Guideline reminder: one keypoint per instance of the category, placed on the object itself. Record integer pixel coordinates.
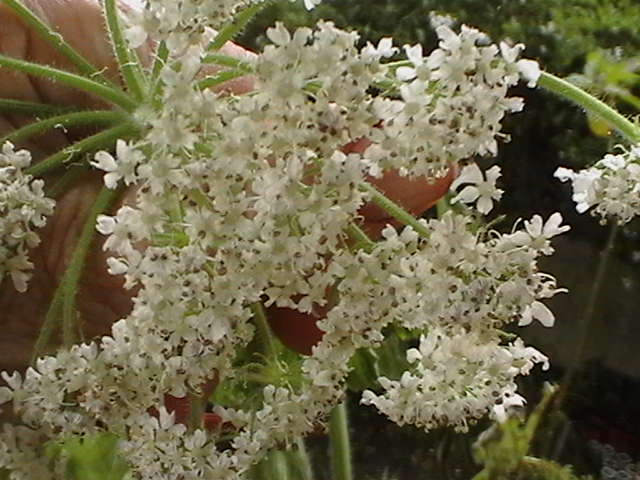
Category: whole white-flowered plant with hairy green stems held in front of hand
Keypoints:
(242, 201)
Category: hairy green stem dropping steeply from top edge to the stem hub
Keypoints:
(128, 60)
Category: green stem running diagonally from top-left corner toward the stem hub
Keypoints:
(56, 40)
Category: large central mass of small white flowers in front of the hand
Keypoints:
(246, 198)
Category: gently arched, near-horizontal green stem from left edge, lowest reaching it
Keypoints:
(96, 117)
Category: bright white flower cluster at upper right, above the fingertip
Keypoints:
(452, 103)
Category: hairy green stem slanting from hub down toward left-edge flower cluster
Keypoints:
(104, 139)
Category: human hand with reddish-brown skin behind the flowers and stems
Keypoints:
(102, 299)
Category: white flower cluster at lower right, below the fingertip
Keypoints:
(460, 289)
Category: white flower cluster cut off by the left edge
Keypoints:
(23, 209)
